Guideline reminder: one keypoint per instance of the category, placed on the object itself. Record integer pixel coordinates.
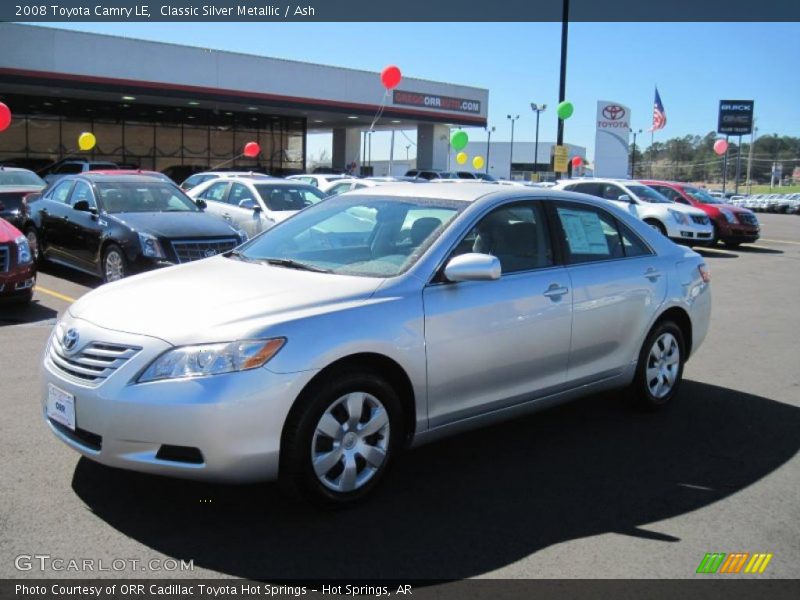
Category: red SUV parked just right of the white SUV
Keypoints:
(732, 225)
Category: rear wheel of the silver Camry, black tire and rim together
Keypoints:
(659, 365)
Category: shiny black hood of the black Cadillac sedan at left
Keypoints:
(175, 225)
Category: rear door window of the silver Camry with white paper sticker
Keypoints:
(590, 234)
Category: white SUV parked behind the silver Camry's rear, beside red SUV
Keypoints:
(677, 221)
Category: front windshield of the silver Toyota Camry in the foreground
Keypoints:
(356, 235)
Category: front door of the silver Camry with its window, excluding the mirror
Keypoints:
(494, 344)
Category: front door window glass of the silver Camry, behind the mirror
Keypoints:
(516, 234)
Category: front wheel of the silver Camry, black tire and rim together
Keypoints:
(343, 475)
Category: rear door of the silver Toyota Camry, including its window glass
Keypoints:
(618, 283)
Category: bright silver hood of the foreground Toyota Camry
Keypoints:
(217, 299)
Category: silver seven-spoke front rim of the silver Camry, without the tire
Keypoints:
(351, 442)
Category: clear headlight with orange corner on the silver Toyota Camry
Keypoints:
(211, 359)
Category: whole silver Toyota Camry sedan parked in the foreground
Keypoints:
(372, 321)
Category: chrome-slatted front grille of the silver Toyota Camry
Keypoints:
(94, 363)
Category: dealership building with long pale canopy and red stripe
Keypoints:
(158, 105)
